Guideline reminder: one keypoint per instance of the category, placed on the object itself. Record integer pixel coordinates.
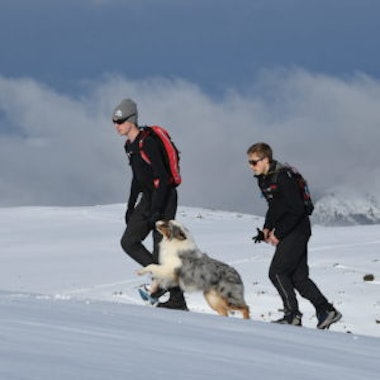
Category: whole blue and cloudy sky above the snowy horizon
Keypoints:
(221, 75)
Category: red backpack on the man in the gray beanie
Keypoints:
(171, 153)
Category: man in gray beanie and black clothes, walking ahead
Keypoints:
(152, 195)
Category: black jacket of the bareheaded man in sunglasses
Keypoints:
(286, 210)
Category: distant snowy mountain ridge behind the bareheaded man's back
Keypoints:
(340, 207)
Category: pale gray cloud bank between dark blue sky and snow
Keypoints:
(59, 149)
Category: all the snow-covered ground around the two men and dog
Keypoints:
(70, 306)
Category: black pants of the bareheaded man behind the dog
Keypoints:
(289, 271)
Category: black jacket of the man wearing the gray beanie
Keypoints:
(153, 180)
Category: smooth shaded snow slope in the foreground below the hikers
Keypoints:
(44, 338)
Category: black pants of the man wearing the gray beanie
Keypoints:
(138, 229)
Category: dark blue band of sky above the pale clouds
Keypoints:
(216, 43)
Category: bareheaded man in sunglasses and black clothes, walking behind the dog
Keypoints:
(287, 227)
